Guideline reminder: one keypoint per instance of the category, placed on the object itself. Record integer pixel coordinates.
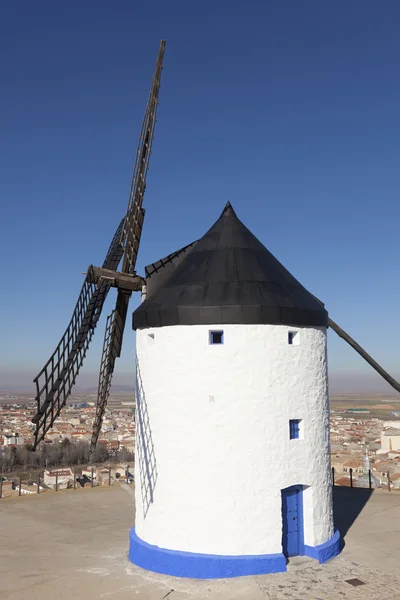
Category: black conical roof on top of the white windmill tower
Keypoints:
(229, 277)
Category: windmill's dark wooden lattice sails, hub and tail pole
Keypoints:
(57, 378)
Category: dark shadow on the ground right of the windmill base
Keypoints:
(347, 505)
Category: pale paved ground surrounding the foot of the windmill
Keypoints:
(74, 543)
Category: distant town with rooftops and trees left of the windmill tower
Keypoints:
(62, 459)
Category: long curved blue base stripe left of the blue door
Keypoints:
(200, 566)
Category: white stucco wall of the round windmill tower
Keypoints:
(213, 447)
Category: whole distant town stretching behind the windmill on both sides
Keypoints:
(365, 437)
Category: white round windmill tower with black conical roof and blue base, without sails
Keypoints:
(232, 444)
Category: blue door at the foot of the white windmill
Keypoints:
(292, 521)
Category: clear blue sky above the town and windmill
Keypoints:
(288, 109)
